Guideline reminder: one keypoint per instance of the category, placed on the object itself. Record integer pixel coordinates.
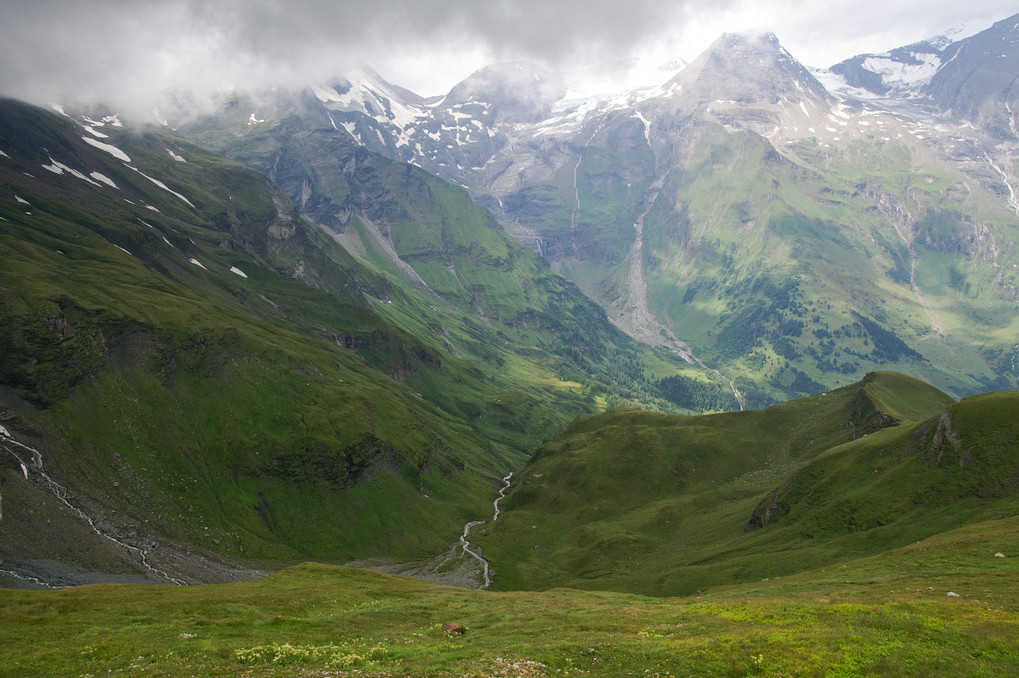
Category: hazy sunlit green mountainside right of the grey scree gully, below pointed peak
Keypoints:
(767, 265)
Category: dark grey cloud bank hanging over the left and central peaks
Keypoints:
(51, 48)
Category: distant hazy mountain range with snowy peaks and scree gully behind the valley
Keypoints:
(788, 228)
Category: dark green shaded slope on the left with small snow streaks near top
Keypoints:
(223, 402)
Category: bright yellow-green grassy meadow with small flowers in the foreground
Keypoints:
(891, 615)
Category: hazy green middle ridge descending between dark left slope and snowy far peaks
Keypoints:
(496, 292)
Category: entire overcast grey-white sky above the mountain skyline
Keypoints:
(123, 51)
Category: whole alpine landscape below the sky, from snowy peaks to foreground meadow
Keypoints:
(714, 377)
